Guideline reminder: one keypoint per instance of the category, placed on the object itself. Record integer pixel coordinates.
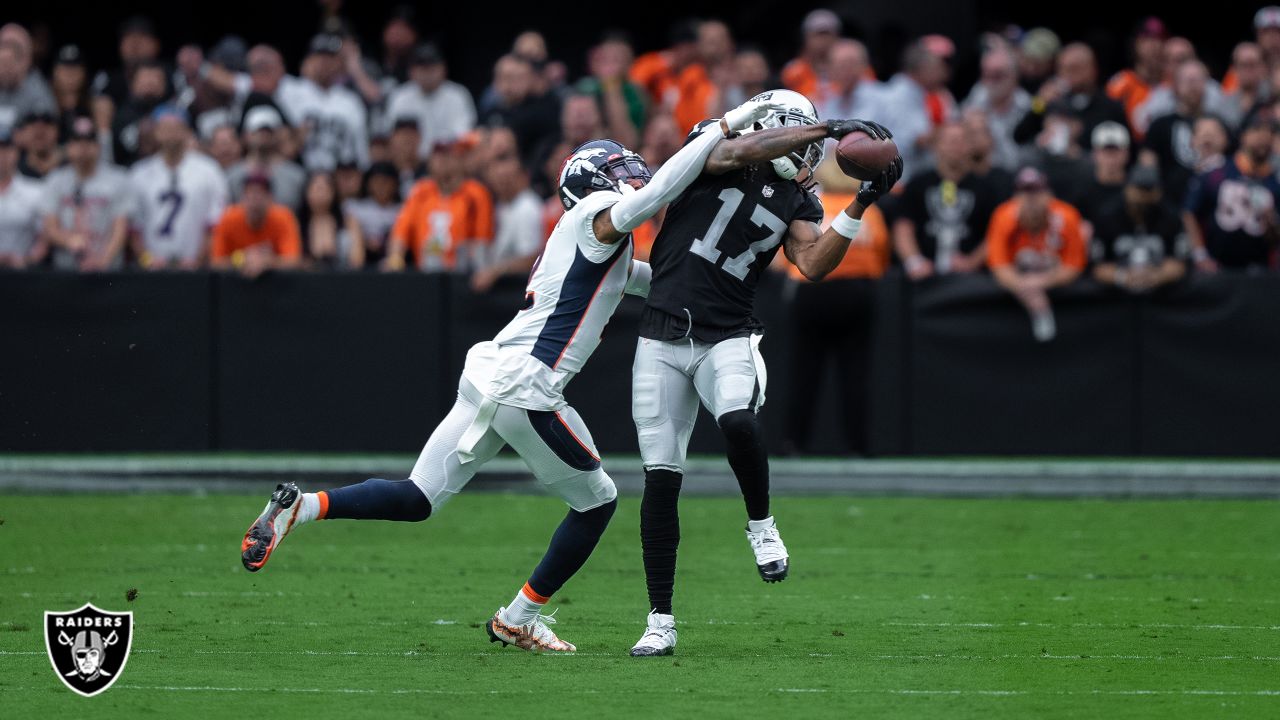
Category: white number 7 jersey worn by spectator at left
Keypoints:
(176, 207)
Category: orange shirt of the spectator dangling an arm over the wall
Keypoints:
(1060, 243)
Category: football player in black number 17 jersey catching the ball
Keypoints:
(700, 340)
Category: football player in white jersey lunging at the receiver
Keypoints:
(511, 391)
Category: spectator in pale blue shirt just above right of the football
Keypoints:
(903, 106)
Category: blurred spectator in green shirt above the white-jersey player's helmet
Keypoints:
(623, 103)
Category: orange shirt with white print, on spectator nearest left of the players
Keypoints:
(437, 226)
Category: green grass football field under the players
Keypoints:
(897, 608)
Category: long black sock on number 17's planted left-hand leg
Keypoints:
(660, 535)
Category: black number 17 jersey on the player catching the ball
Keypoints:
(717, 239)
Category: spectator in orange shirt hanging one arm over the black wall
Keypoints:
(1035, 244)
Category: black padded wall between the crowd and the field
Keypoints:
(371, 363)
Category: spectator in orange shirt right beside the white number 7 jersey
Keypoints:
(257, 235)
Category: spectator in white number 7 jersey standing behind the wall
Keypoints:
(180, 195)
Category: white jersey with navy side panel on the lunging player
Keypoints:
(573, 293)
